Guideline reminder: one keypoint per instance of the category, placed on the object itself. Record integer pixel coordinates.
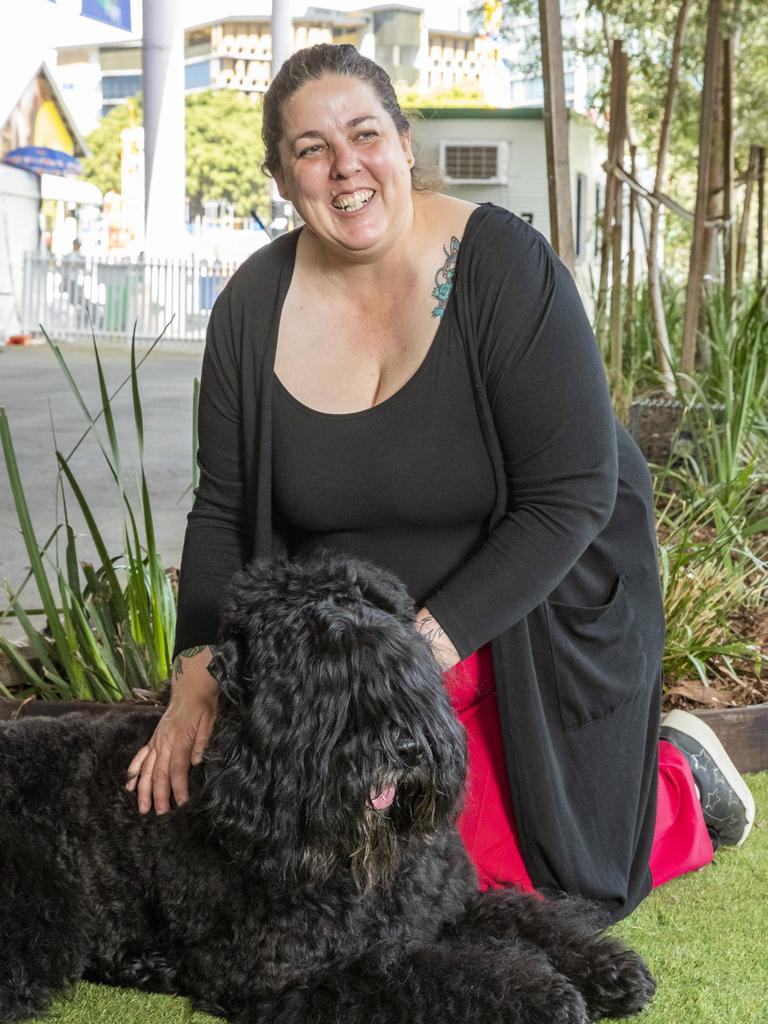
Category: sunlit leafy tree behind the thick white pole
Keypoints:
(225, 152)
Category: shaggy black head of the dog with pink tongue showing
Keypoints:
(335, 740)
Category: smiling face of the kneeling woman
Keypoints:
(345, 166)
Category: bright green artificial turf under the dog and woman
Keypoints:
(705, 937)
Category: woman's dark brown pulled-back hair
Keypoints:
(312, 64)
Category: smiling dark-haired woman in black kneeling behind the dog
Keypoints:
(412, 378)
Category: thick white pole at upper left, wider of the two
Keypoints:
(163, 84)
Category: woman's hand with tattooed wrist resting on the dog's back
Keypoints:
(182, 736)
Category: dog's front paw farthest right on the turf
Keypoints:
(620, 985)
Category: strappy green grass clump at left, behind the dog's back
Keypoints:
(111, 622)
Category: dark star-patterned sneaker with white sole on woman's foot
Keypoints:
(728, 804)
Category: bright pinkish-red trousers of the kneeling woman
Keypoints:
(487, 824)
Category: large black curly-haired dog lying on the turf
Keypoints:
(315, 876)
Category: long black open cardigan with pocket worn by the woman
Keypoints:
(567, 585)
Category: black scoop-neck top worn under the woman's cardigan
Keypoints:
(407, 485)
